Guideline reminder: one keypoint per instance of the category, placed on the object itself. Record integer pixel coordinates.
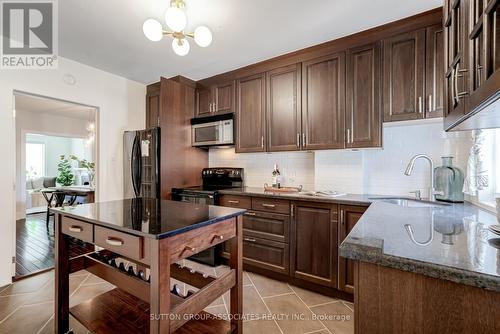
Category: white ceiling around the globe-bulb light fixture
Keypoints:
(108, 34)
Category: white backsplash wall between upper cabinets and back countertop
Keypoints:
(372, 171)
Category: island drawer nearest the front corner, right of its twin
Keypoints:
(127, 245)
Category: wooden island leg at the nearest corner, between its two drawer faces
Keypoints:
(160, 287)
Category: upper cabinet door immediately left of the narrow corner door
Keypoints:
(403, 81)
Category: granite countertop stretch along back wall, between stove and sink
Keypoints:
(349, 199)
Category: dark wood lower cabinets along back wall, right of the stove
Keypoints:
(300, 247)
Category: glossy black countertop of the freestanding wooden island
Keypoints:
(150, 218)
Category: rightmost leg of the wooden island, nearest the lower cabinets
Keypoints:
(236, 262)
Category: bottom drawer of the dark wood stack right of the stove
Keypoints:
(266, 254)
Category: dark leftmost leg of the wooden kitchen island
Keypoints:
(61, 304)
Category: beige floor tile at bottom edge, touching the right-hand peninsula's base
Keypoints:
(337, 317)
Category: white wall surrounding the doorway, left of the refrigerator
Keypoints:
(121, 105)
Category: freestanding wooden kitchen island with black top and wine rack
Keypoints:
(152, 235)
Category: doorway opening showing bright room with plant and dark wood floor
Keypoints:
(56, 155)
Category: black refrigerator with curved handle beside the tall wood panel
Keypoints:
(141, 163)
